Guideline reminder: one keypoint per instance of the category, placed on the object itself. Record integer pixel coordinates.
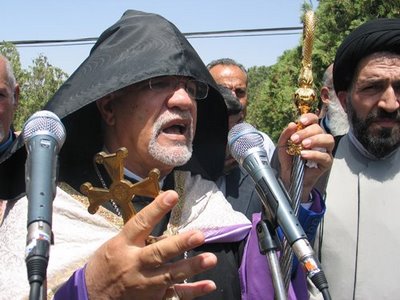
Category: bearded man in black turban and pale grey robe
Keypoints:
(359, 240)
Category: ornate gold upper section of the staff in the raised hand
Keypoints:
(305, 96)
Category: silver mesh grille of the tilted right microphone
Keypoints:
(243, 137)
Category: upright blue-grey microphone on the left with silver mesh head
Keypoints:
(44, 135)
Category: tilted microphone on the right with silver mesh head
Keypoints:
(246, 147)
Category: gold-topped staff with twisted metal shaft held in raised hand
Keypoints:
(304, 98)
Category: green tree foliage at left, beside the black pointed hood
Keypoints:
(37, 83)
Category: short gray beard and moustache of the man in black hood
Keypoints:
(176, 155)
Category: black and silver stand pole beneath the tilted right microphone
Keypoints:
(269, 247)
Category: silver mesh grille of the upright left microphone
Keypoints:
(45, 122)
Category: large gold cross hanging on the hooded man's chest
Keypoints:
(121, 190)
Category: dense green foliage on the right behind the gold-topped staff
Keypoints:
(271, 105)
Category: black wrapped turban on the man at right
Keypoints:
(373, 36)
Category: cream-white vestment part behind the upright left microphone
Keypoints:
(77, 234)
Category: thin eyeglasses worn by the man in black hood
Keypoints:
(195, 88)
